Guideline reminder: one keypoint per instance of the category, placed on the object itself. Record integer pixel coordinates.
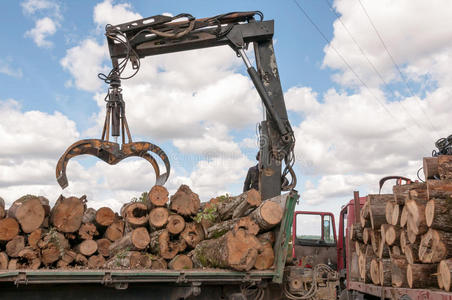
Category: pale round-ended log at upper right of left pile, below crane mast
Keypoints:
(267, 215)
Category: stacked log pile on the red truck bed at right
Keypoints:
(405, 238)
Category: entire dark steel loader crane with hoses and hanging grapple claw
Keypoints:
(129, 42)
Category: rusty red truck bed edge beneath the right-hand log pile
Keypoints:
(397, 293)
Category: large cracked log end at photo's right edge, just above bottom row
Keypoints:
(435, 246)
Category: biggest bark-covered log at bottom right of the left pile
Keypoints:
(236, 250)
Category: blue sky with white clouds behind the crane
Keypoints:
(348, 134)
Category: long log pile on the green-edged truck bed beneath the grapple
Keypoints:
(155, 232)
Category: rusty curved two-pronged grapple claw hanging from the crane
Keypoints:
(111, 153)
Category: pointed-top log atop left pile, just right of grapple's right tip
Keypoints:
(185, 202)
